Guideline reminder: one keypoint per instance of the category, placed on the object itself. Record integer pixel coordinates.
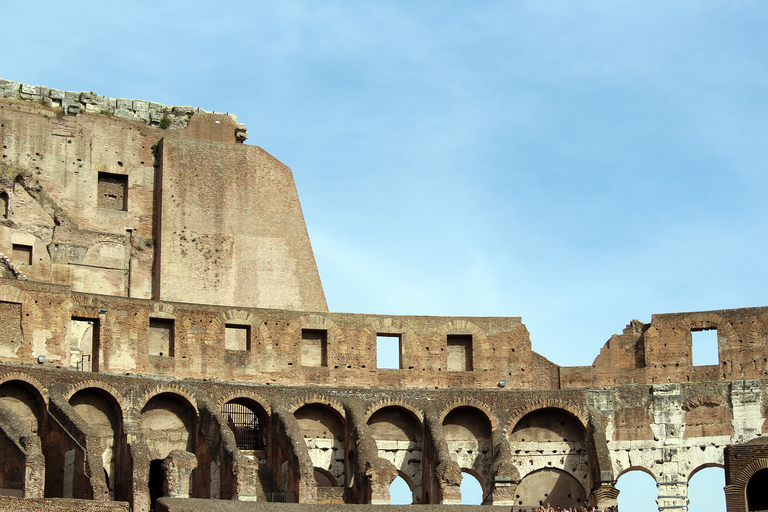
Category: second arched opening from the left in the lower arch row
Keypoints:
(102, 413)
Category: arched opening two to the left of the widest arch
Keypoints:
(399, 439)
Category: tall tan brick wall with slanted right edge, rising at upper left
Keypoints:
(82, 205)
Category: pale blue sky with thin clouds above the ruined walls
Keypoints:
(578, 164)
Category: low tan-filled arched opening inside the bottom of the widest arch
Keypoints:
(553, 486)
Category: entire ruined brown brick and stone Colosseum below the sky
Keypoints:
(166, 340)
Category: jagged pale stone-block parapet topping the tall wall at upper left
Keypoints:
(74, 103)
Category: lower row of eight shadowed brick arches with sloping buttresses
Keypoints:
(129, 448)
